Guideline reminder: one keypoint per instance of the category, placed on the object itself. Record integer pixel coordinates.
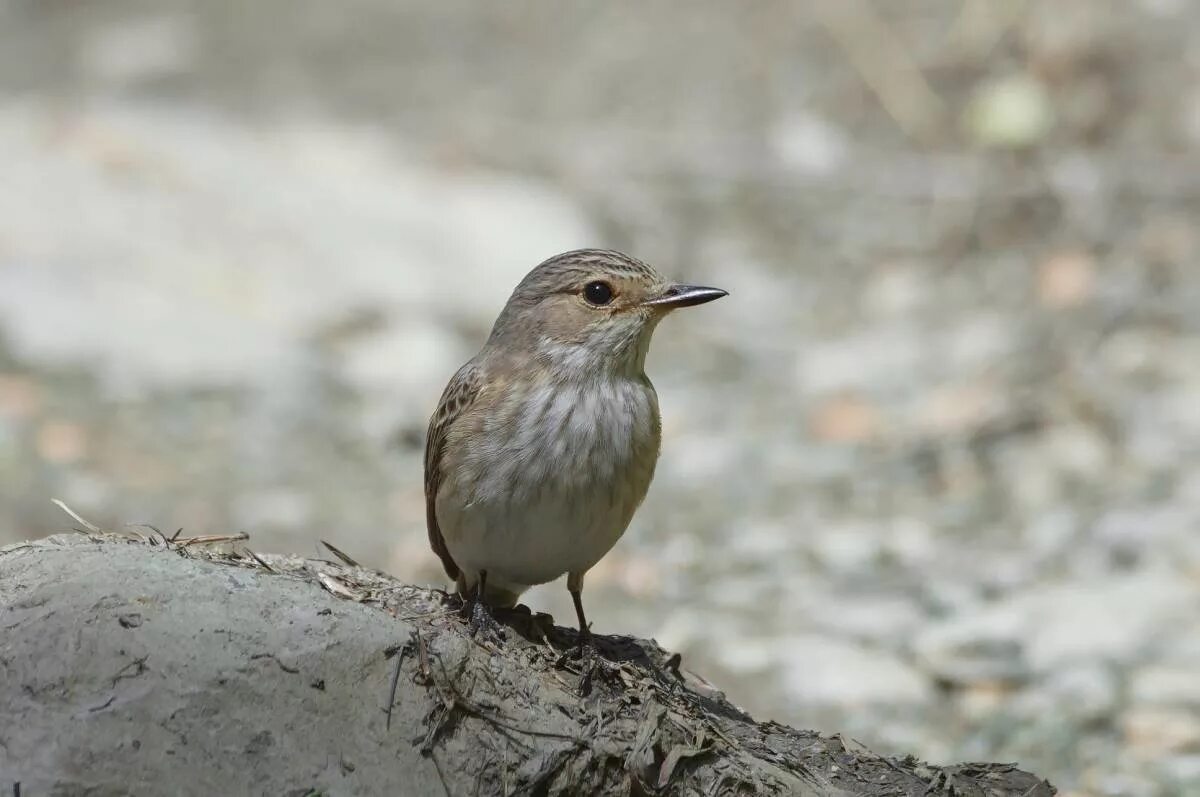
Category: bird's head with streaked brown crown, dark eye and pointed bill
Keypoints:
(592, 310)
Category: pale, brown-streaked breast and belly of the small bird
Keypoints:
(551, 482)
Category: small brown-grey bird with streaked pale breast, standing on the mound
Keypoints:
(544, 445)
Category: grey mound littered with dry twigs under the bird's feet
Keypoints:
(141, 666)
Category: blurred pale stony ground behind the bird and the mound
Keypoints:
(931, 476)
